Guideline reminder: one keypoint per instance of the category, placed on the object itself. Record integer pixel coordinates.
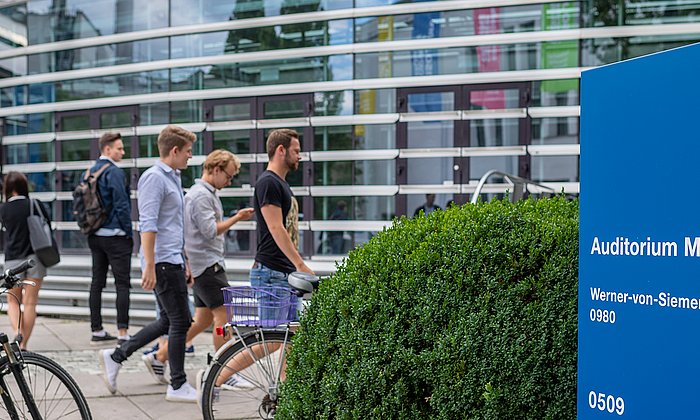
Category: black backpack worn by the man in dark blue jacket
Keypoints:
(88, 210)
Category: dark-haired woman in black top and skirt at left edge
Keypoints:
(13, 216)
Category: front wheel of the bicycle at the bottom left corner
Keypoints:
(55, 392)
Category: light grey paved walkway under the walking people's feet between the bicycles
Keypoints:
(139, 397)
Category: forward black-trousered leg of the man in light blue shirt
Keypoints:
(172, 296)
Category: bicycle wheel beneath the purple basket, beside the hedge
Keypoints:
(244, 381)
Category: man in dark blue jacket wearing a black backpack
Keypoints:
(109, 234)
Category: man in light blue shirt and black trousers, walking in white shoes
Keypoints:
(163, 263)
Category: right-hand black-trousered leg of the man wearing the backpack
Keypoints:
(120, 261)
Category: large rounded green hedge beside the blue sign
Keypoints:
(467, 313)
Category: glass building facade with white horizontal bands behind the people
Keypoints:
(393, 100)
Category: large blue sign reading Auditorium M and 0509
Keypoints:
(639, 275)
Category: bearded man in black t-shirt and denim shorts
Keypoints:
(277, 212)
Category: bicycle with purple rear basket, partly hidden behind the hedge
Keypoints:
(262, 321)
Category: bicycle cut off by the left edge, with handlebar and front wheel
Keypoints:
(33, 386)
